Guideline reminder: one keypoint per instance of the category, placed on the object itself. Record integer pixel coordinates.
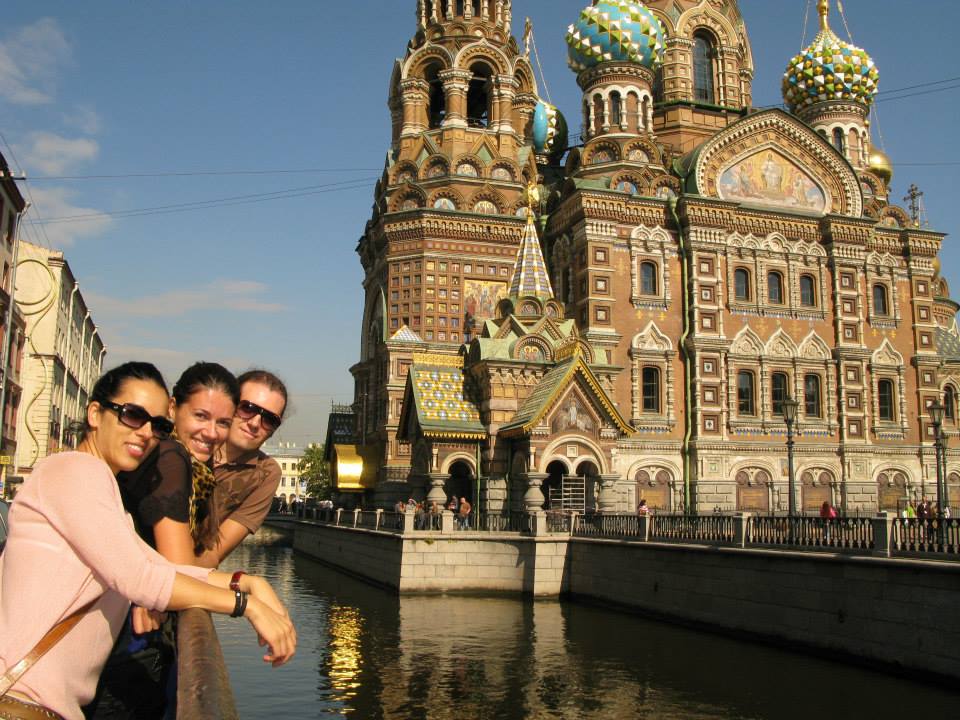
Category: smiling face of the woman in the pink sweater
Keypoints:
(121, 447)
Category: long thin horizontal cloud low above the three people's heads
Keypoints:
(244, 296)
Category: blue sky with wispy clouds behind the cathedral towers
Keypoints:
(208, 167)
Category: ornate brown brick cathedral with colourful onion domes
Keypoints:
(585, 327)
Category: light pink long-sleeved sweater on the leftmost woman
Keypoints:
(71, 541)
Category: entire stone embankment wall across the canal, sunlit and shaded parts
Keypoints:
(893, 612)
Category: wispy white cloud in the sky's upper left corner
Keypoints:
(29, 60)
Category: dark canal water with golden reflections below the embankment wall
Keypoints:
(366, 653)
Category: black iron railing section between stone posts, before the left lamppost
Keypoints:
(847, 533)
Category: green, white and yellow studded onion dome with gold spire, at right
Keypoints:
(830, 69)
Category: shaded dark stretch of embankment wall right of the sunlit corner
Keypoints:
(897, 613)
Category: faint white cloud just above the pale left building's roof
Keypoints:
(52, 203)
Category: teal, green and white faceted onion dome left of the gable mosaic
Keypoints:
(615, 30)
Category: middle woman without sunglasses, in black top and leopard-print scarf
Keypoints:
(170, 498)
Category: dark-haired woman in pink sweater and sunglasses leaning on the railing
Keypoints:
(71, 542)
